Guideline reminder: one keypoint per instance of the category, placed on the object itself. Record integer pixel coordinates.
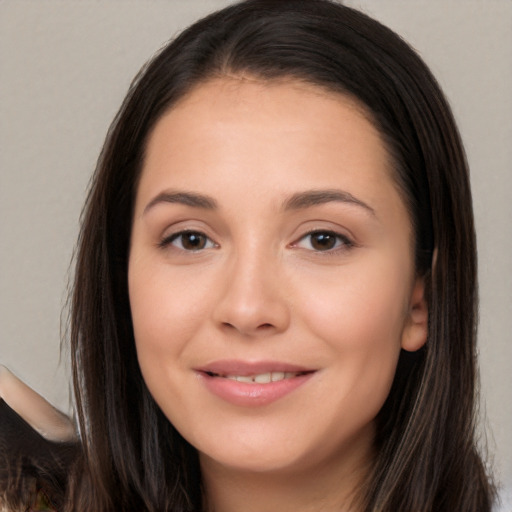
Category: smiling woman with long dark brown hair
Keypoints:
(275, 283)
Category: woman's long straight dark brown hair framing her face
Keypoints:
(427, 459)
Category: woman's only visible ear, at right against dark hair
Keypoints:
(415, 332)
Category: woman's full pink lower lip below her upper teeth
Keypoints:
(248, 394)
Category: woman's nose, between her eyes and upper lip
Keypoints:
(253, 299)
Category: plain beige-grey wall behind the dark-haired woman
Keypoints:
(64, 68)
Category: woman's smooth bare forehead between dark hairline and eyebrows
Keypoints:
(262, 136)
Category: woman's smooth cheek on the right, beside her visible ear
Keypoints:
(360, 316)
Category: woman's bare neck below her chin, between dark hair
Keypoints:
(331, 485)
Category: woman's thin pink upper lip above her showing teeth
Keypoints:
(239, 367)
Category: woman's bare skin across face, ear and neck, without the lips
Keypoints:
(260, 289)
